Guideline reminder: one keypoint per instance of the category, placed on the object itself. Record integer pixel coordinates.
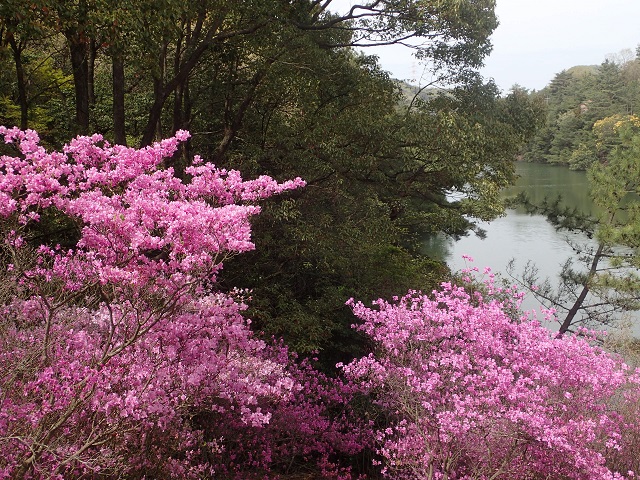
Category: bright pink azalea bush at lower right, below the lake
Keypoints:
(473, 394)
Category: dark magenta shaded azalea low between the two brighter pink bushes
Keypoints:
(320, 425)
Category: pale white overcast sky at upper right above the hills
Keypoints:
(538, 38)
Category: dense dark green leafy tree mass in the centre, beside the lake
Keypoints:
(378, 175)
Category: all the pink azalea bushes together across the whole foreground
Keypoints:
(121, 359)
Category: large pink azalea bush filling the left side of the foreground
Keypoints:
(119, 357)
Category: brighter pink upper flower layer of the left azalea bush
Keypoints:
(139, 224)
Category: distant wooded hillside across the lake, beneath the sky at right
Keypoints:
(584, 104)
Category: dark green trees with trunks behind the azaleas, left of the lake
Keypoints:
(273, 87)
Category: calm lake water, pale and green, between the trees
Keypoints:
(518, 235)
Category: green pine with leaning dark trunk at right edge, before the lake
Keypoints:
(601, 282)
